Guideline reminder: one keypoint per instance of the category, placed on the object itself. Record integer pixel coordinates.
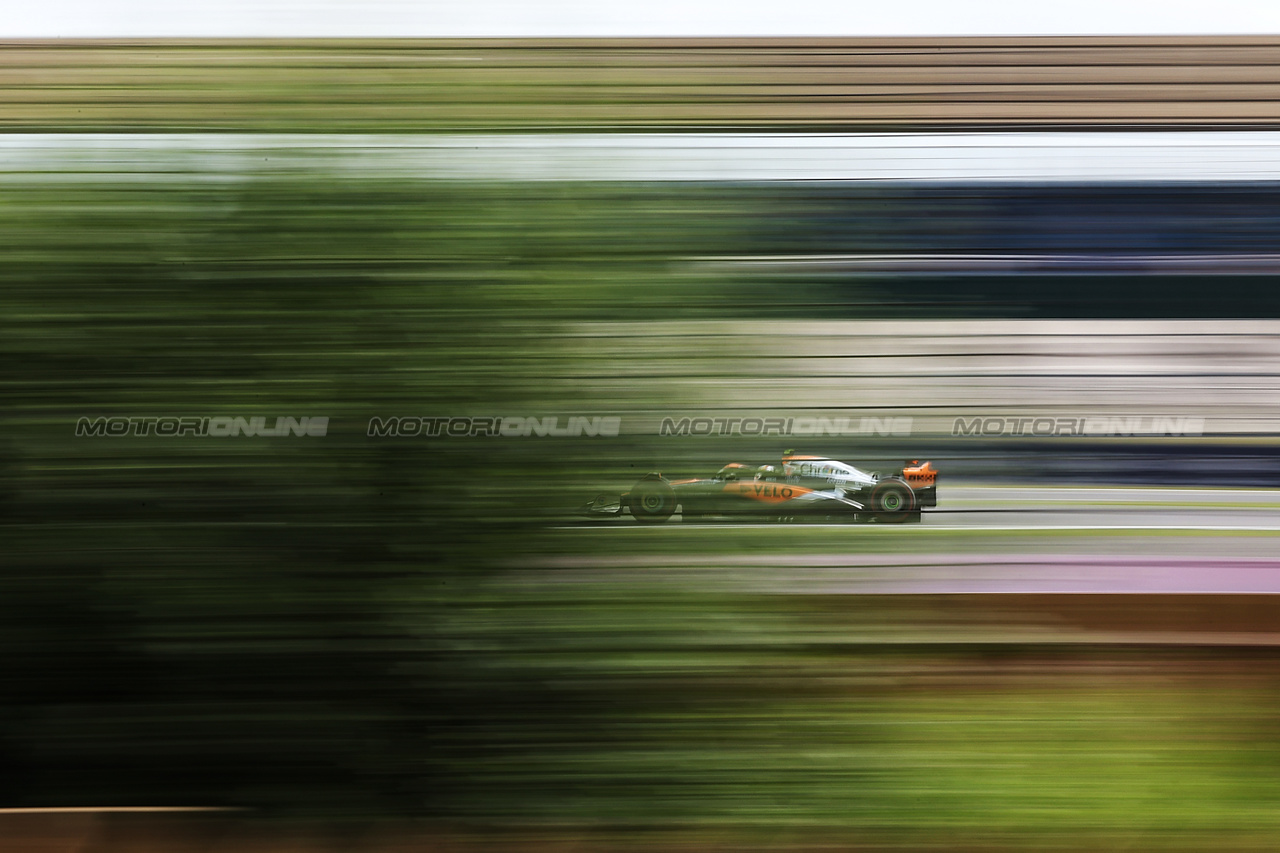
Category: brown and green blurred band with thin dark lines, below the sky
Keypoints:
(854, 84)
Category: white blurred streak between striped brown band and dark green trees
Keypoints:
(949, 159)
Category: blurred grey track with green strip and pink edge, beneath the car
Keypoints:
(984, 540)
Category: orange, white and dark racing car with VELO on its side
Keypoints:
(804, 487)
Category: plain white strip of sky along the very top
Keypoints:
(550, 19)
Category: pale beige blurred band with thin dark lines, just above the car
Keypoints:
(936, 371)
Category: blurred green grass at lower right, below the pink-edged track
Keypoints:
(772, 717)
